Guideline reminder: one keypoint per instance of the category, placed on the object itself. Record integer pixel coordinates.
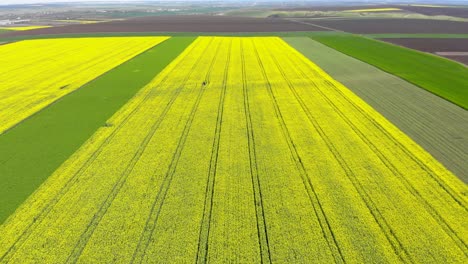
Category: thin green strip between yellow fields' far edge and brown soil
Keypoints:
(174, 34)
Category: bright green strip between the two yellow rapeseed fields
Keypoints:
(32, 150)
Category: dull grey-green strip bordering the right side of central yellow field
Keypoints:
(437, 125)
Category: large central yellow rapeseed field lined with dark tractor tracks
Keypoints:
(244, 151)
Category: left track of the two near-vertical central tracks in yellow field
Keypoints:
(203, 241)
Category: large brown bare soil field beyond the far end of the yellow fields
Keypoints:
(178, 24)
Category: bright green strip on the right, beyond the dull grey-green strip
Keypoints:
(440, 76)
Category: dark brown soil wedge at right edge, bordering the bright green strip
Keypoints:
(454, 49)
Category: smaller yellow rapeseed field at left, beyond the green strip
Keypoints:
(35, 73)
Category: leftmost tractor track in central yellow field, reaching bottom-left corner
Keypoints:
(75, 177)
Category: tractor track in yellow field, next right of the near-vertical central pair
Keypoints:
(325, 226)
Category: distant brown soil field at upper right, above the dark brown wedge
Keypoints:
(374, 26)
